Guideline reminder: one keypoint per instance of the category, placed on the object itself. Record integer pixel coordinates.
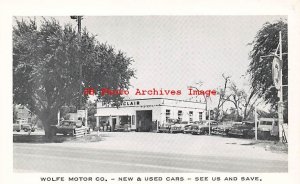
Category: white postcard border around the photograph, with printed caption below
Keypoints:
(147, 7)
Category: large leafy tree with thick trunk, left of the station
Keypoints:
(46, 62)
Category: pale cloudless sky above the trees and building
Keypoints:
(174, 52)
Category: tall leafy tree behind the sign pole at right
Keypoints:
(260, 68)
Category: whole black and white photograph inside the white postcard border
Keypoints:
(158, 94)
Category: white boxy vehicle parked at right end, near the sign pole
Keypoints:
(268, 128)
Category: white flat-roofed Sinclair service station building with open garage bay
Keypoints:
(144, 114)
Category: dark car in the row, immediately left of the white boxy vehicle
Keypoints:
(243, 129)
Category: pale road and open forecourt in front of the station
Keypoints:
(108, 156)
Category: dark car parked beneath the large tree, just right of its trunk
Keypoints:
(67, 127)
